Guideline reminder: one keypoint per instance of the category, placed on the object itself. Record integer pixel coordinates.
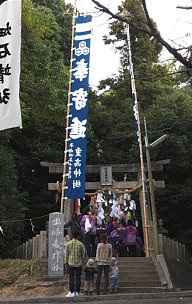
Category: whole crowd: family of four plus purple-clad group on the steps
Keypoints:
(101, 244)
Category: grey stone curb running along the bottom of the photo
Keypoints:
(114, 297)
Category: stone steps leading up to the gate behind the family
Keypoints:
(136, 275)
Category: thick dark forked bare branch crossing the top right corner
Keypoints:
(150, 30)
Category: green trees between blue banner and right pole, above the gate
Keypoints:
(110, 117)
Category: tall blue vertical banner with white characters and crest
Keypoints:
(78, 115)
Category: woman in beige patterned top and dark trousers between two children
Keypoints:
(103, 261)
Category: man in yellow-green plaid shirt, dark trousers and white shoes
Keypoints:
(74, 256)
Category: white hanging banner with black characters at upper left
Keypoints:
(10, 44)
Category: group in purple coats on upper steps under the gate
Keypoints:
(122, 234)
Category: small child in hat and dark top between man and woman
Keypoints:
(89, 270)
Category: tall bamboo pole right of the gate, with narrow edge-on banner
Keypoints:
(140, 144)
